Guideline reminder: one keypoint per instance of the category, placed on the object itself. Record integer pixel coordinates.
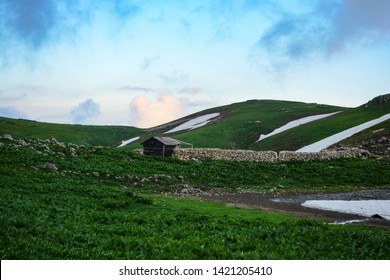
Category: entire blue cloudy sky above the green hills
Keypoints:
(144, 63)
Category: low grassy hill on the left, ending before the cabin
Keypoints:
(78, 134)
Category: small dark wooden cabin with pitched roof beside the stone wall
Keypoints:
(160, 146)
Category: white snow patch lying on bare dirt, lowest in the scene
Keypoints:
(366, 208)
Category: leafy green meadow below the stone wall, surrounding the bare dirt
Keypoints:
(78, 215)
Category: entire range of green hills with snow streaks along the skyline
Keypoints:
(253, 124)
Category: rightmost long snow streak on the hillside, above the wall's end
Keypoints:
(328, 141)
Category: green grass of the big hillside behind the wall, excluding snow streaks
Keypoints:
(240, 124)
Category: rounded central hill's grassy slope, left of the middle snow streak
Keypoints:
(242, 123)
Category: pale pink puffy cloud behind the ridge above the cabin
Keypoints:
(150, 113)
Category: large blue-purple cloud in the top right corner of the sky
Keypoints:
(330, 26)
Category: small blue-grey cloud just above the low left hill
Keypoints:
(85, 112)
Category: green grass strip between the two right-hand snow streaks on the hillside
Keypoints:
(315, 131)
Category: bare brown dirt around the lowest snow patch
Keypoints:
(290, 203)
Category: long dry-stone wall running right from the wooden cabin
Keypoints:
(265, 156)
